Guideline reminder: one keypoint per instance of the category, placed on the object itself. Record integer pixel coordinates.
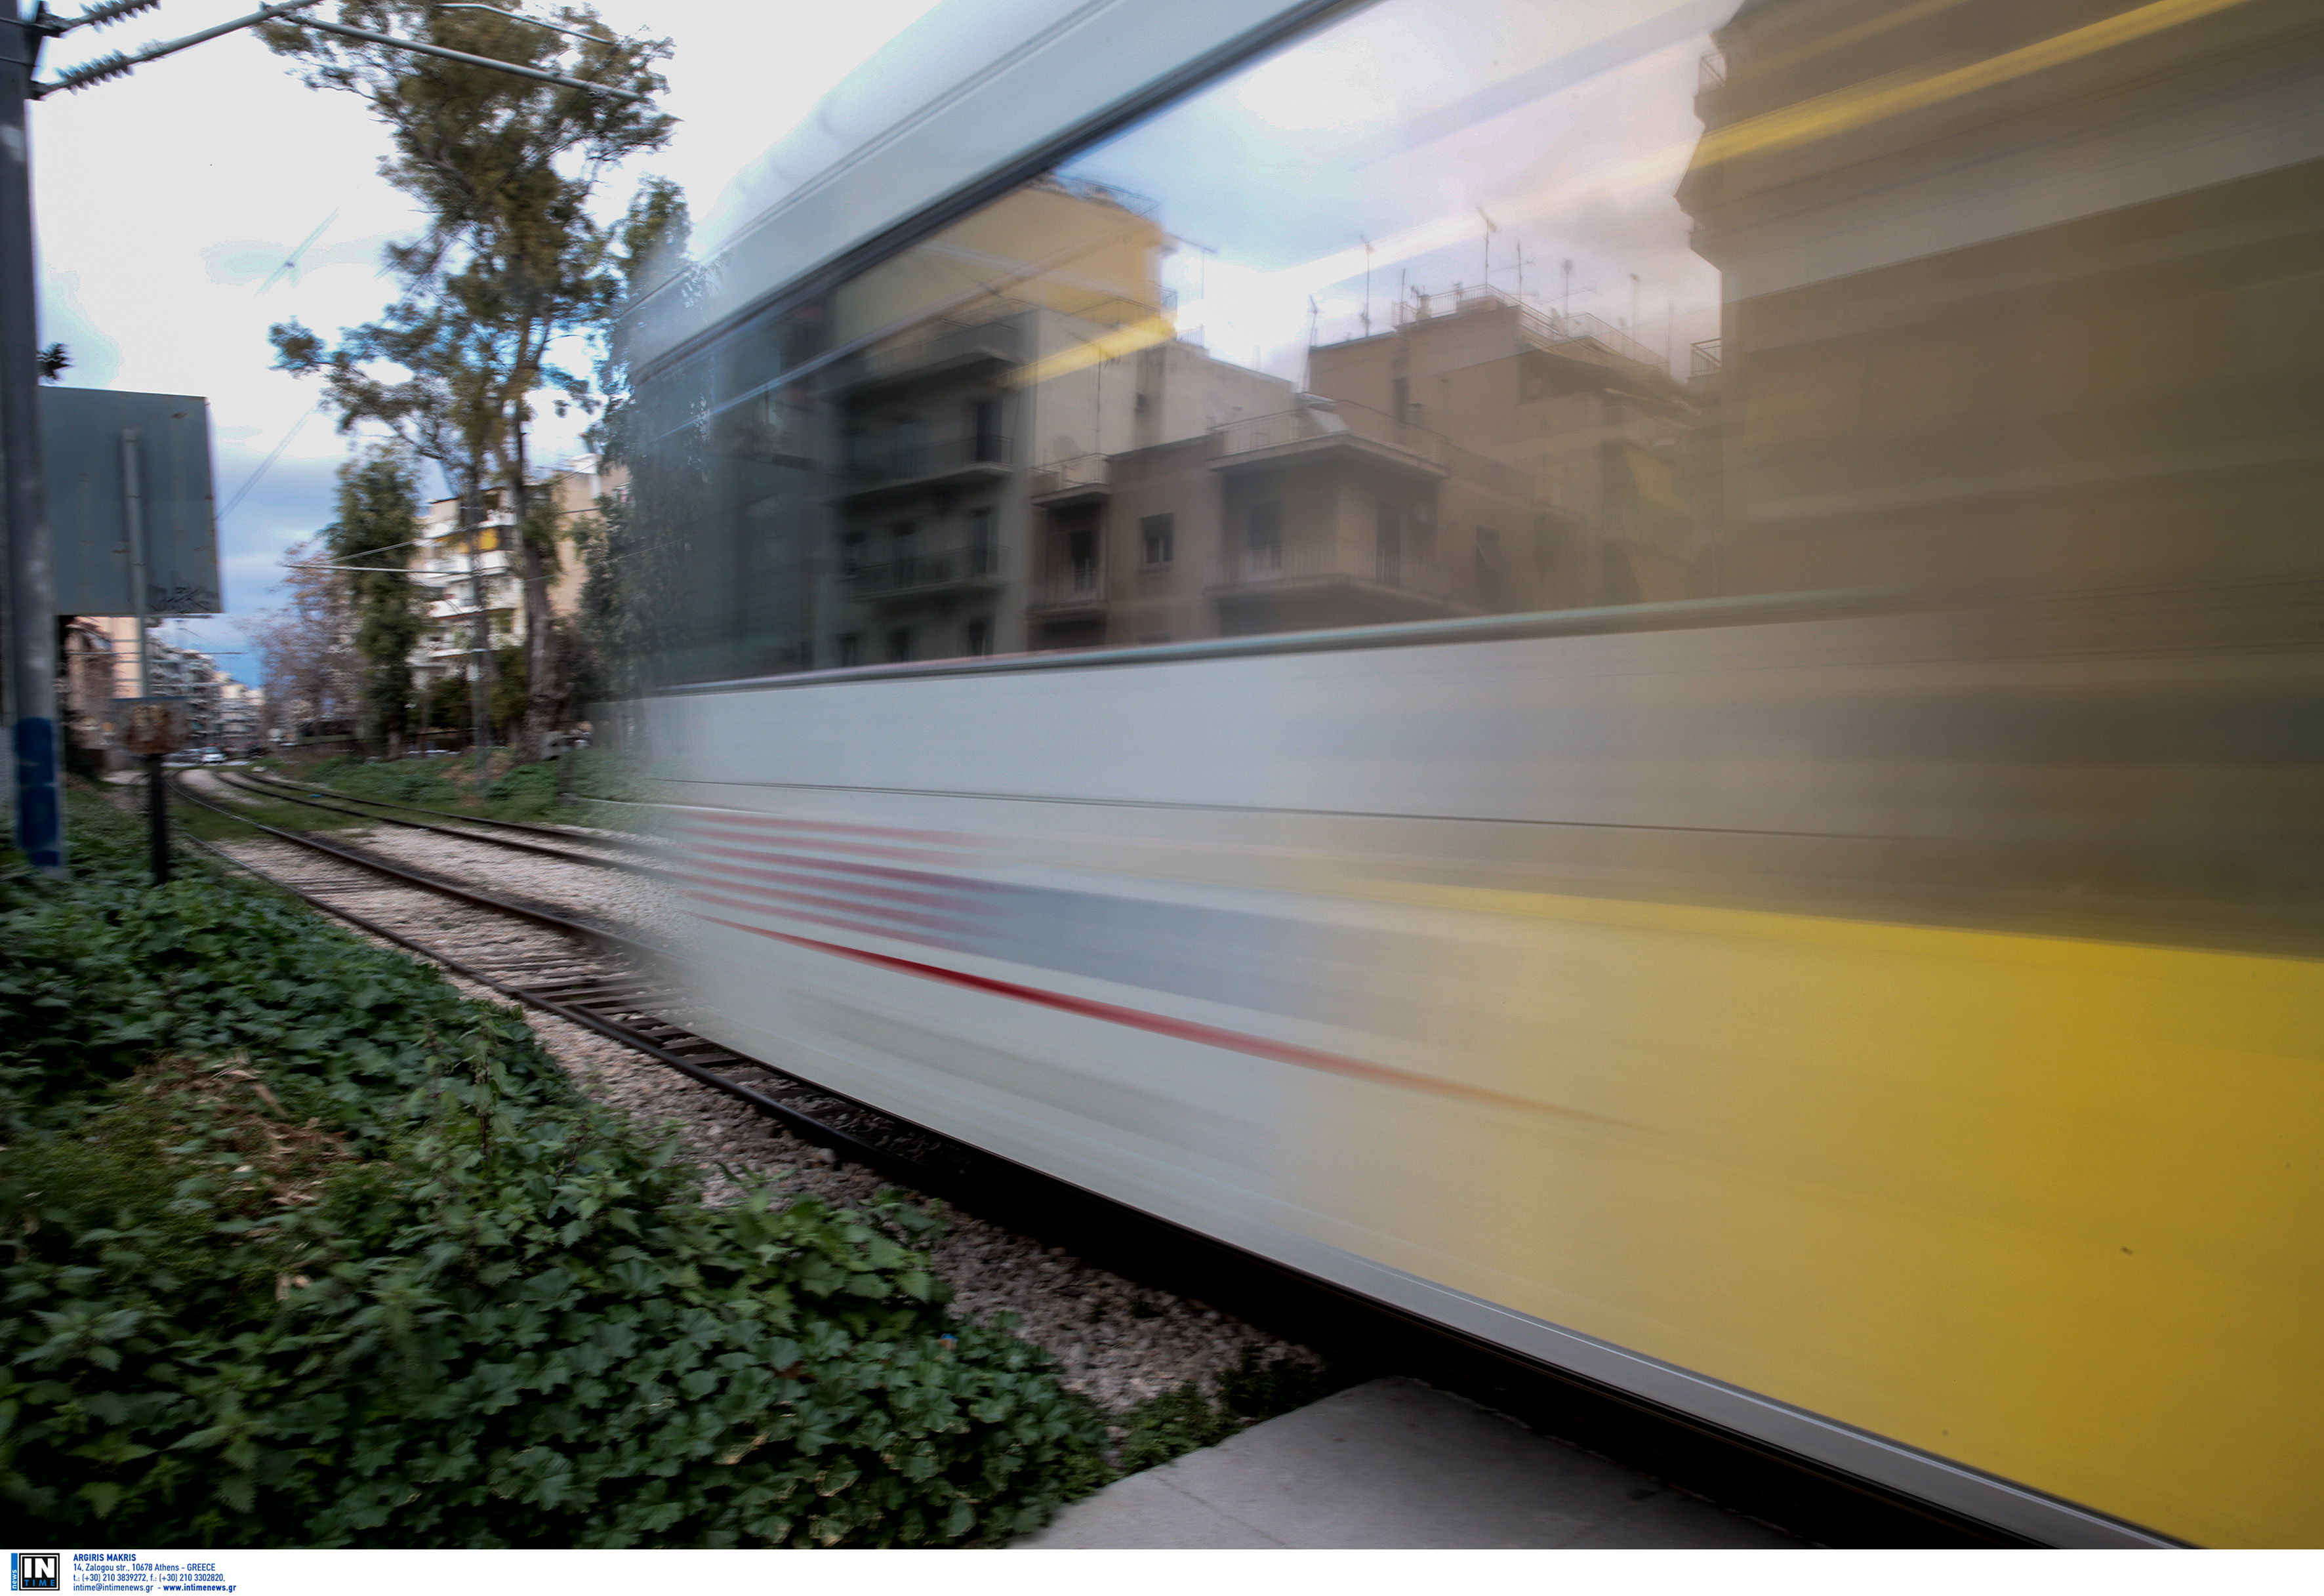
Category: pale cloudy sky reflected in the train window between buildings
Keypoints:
(1279, 175)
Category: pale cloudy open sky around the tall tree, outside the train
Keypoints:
(168, 199)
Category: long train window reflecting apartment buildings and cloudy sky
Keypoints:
(1802, 296)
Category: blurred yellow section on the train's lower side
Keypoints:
(2044, 1207)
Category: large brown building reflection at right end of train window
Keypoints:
(2018, 324)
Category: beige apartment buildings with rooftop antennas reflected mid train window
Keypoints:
(1354, 505)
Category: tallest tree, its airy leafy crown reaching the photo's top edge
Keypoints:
(512, 261)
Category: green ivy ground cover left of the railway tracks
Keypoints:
(306, 1249)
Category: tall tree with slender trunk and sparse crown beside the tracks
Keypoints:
(505, 171)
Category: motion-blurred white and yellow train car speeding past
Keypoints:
(1640, 677)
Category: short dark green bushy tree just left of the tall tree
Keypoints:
(380, 519)
